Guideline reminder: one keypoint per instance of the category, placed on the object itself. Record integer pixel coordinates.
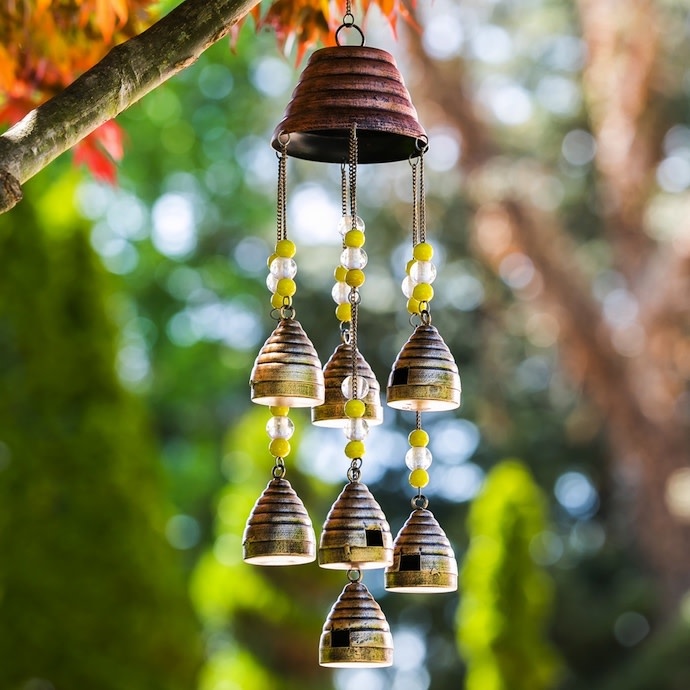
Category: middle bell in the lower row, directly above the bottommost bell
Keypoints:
(356, 533)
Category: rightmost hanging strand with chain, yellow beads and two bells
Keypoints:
(423, 557)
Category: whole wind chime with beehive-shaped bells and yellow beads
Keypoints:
(351, 107)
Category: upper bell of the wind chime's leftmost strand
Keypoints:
(287, 371)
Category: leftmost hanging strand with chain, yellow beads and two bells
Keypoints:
(287, 373)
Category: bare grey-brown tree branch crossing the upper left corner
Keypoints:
(128, 72)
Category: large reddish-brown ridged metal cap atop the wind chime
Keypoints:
(343, 85)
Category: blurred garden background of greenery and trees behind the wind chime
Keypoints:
(131, 313)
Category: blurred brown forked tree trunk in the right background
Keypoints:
(636, 375)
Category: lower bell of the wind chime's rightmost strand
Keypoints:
(423, 559)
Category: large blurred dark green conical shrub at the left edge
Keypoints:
(91, 595)
